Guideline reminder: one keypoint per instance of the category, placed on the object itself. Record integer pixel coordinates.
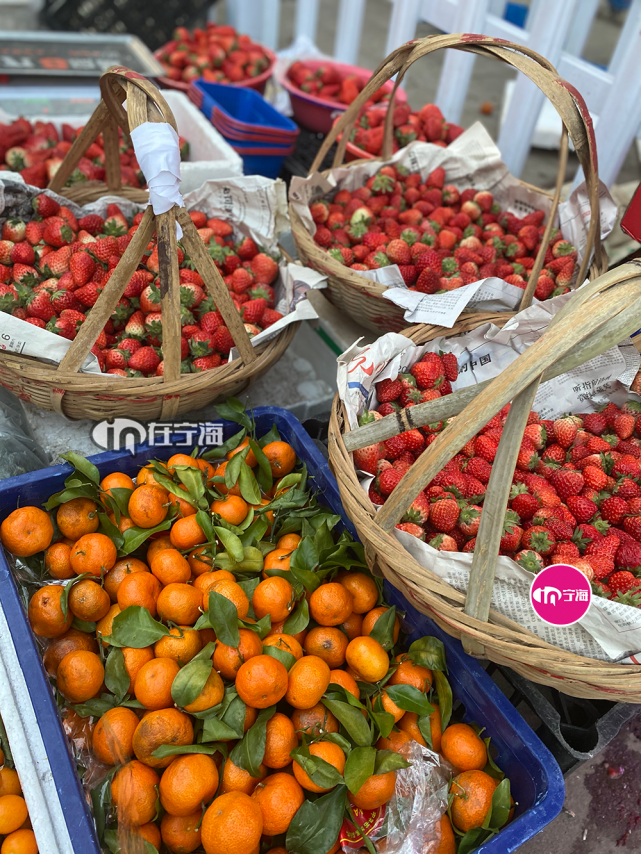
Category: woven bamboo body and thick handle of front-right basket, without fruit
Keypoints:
(573, 337)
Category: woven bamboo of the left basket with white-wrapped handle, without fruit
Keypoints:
(62, 388)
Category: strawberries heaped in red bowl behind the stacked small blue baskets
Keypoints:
(218, 54)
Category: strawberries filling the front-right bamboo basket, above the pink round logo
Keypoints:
(576, 493)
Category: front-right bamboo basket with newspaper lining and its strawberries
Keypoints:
(560, 490)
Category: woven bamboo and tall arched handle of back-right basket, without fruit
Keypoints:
(363, 299)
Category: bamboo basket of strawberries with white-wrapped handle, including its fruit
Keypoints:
(143, 293)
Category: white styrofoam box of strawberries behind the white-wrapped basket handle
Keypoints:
(210, 156)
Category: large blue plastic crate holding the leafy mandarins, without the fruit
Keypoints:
(537, 782)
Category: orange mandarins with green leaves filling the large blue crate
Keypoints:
(227, 668)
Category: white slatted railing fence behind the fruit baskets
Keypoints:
(557, 29)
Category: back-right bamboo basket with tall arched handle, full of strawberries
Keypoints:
(362, 210)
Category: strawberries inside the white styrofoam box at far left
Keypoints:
(37, 150)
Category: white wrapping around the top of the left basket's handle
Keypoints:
(157, 150)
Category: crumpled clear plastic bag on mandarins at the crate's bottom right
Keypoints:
(419, 801)
